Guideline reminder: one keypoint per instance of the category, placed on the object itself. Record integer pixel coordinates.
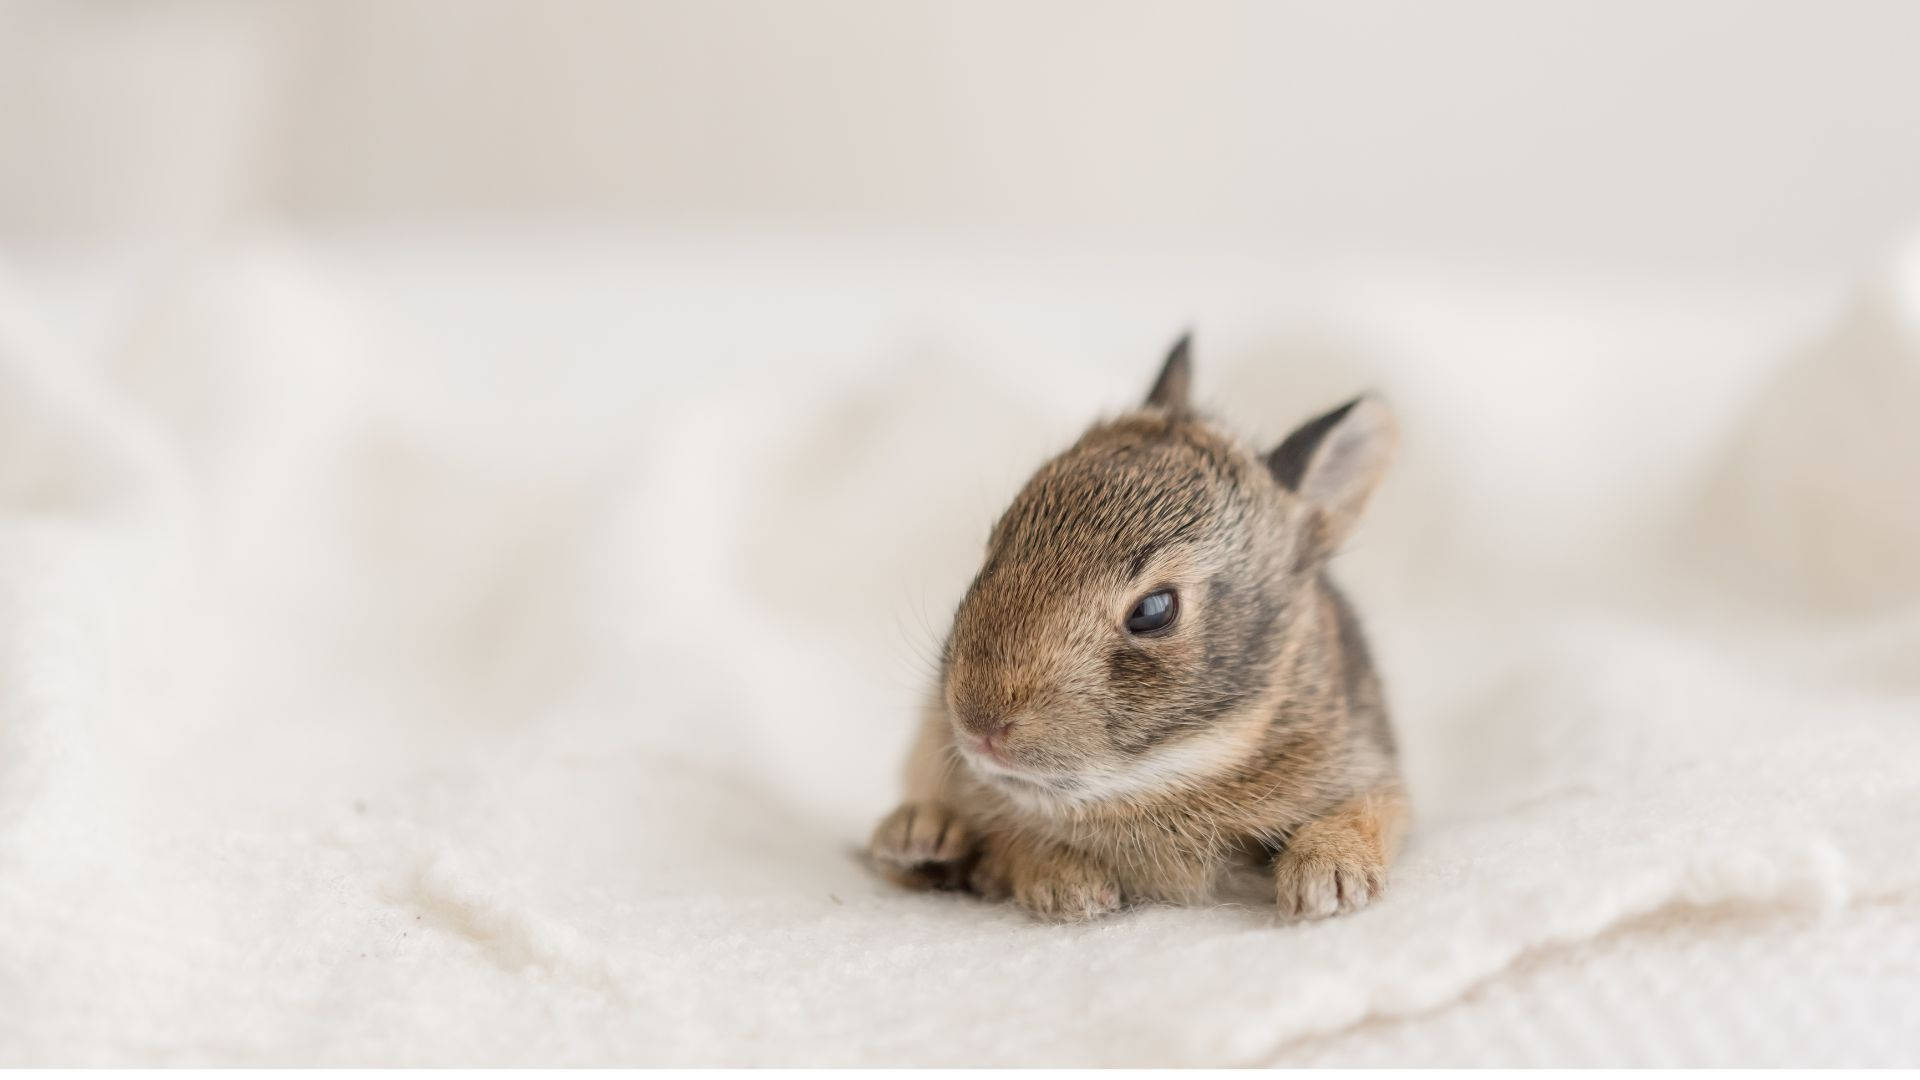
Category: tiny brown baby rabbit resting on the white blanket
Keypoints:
(1153, 679)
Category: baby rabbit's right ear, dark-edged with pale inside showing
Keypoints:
(1335, 460)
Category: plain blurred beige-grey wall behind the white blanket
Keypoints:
(1723, 134)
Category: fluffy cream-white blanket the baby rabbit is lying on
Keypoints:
(494, 650)
